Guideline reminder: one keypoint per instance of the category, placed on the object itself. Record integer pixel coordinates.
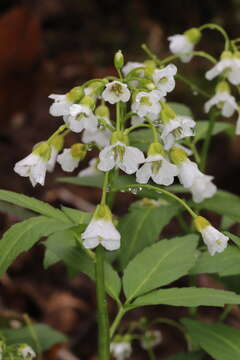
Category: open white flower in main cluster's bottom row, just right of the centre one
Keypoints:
(159, 169)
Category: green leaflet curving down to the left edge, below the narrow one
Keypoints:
(22, 236)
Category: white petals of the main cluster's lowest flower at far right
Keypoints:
(202, 188)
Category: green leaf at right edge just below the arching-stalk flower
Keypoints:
(225, 263)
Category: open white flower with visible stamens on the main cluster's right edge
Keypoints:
(176, 129)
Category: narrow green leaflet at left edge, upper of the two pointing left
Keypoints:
(32, 204)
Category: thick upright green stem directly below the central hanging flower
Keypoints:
(103, 325)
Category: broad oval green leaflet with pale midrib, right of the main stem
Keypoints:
(159, 265)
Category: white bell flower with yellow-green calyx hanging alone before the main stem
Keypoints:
(101, 231)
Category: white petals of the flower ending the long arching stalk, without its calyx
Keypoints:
(214, 239)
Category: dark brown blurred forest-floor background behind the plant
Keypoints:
(50, 46)
